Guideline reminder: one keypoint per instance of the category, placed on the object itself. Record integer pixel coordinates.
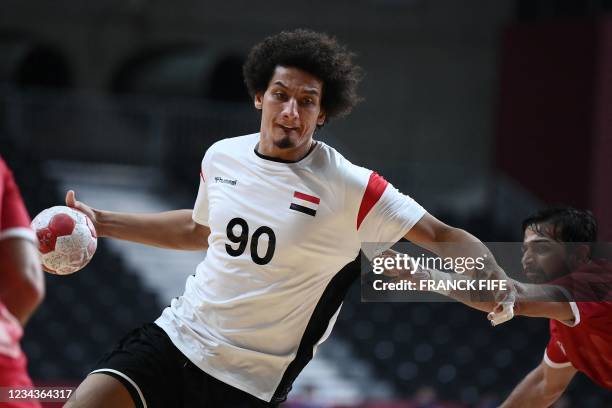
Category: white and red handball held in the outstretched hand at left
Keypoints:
(66, 239)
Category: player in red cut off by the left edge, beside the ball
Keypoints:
(21, 284)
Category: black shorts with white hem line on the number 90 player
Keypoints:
(158, 375)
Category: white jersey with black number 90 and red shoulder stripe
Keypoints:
(272, 282)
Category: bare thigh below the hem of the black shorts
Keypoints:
(100, 391)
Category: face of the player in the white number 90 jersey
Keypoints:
(291, 108)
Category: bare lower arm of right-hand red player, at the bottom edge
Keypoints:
(541, 387)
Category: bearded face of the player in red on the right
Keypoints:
(544, 259)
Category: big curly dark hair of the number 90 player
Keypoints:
(315, 53)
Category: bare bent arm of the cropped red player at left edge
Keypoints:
(22, 286)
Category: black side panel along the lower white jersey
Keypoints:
(328, 304)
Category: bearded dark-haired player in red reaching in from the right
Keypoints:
(556, 250)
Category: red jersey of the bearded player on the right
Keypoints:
(586, 344)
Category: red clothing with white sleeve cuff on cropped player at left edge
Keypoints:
(14, 223)
